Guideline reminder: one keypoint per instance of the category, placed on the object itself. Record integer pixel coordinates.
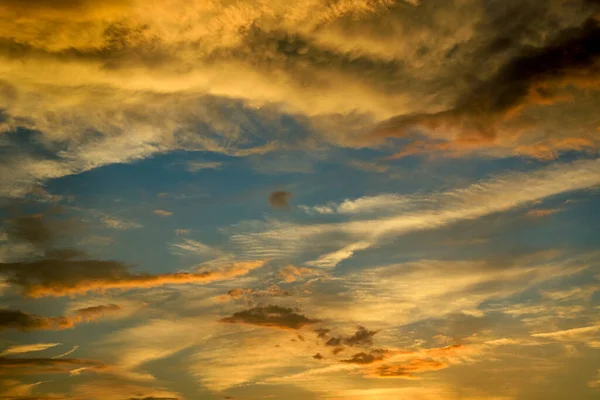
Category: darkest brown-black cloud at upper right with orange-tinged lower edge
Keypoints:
(530, 76)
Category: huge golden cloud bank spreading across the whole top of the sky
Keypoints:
(335, 68)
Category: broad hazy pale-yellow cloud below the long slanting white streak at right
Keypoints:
(431, 289)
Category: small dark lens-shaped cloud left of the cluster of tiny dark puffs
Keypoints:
(270, 316)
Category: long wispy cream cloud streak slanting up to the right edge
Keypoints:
(417, 213)
